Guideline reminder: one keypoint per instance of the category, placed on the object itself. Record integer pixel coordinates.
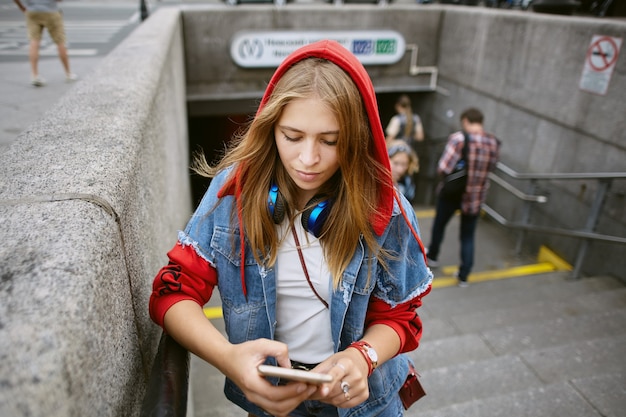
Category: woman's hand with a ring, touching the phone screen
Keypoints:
(349, 387)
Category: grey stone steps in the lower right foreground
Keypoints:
(540, 345)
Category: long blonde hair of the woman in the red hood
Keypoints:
(354, 189)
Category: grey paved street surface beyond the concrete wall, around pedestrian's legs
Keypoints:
(21, 104)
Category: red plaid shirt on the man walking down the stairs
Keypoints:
(484, 152)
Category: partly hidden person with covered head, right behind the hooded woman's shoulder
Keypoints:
(404, 164)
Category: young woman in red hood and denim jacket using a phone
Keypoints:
(316, 258)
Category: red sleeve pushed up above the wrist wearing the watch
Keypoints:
(402, 318)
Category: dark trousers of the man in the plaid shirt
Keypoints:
(445, 211)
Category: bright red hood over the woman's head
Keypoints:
(334, 52)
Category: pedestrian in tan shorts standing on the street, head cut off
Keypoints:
(46, 14)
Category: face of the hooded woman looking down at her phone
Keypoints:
(306, 137)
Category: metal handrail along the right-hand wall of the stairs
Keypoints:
(587, 234)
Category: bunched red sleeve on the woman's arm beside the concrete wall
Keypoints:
(187, 276)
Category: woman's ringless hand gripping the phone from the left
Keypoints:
(279, 401)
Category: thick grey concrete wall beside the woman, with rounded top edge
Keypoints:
(90, 200)
